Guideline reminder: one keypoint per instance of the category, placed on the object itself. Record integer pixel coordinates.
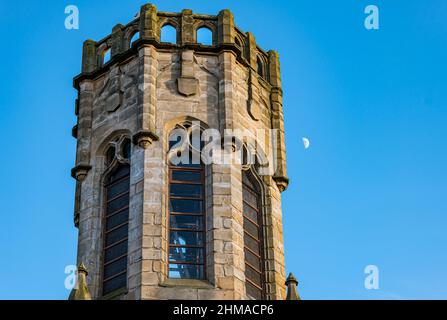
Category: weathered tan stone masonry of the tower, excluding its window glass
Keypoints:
(143, 92)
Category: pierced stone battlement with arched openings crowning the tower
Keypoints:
(148, 25)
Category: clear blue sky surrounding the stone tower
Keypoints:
(371, 189)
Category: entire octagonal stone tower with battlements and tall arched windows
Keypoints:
(150, 228)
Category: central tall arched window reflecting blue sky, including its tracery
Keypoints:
(186, 209)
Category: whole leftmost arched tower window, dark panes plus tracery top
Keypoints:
(116, 217)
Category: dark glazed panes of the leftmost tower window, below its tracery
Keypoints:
(116, 229)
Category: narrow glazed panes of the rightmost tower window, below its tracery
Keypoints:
(253, 236)
